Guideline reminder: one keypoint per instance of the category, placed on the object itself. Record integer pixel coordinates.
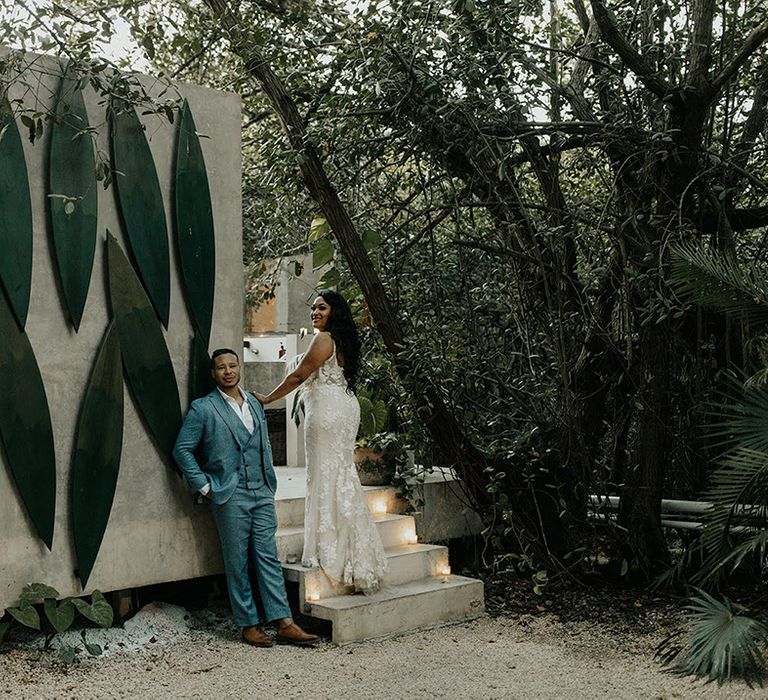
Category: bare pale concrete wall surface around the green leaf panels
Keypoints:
(155, 534)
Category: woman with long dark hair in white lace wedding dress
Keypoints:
(339, 533)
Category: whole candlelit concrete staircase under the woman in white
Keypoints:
(418, 589)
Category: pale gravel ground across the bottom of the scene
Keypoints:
(508, 656)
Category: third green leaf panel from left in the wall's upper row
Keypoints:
(141, 205)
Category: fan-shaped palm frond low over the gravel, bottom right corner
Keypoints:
(718, 643)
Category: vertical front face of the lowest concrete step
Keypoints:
(403, 614)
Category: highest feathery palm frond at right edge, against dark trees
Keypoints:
(710, 279)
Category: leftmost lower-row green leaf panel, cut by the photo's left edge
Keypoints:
(25, 425)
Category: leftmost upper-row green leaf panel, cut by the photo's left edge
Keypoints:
(15, 217)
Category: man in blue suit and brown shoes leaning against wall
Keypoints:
(228, 431)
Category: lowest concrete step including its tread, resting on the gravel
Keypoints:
(401, 608)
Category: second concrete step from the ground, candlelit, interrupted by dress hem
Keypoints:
(405, 563)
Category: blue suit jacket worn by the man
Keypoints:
(213, 431)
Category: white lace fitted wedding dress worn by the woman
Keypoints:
(339, 532)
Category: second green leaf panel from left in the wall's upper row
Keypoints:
(72, 196)
